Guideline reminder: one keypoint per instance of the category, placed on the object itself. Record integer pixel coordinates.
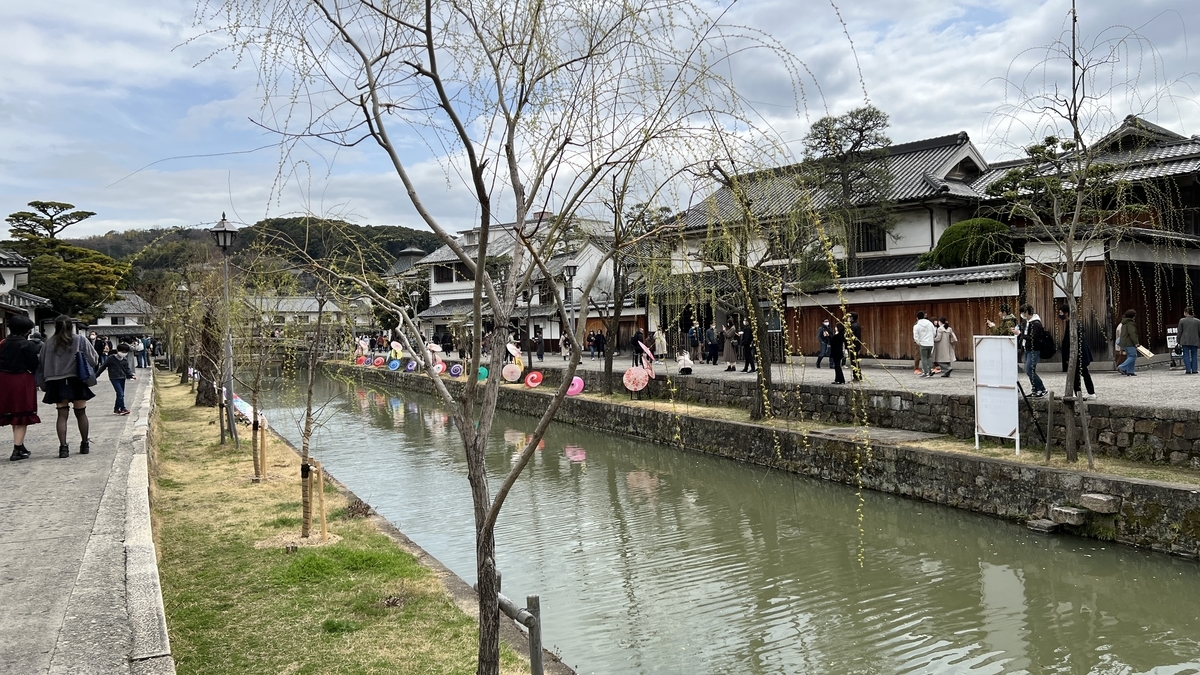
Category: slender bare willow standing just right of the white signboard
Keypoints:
(1075, 193)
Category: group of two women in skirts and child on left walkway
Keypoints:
(65, 367)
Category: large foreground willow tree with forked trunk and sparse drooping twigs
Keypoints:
(535, 106)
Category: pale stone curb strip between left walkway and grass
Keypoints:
(151, 652)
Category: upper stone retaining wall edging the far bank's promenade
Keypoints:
(1147, 435)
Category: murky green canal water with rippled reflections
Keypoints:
(651, 560)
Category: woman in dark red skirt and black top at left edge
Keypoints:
(19, 395)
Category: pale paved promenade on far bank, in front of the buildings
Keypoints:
(1156, 386)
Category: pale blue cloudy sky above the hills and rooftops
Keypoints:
(128, 109)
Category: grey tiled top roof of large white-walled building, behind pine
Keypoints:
(776, 193)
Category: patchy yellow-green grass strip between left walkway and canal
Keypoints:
(357, 606)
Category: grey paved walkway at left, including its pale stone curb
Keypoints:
(79, 578)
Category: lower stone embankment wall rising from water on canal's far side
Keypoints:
(1161, 517)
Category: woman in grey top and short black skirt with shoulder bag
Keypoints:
(59, 375)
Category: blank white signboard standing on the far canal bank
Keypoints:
(997, 413)
